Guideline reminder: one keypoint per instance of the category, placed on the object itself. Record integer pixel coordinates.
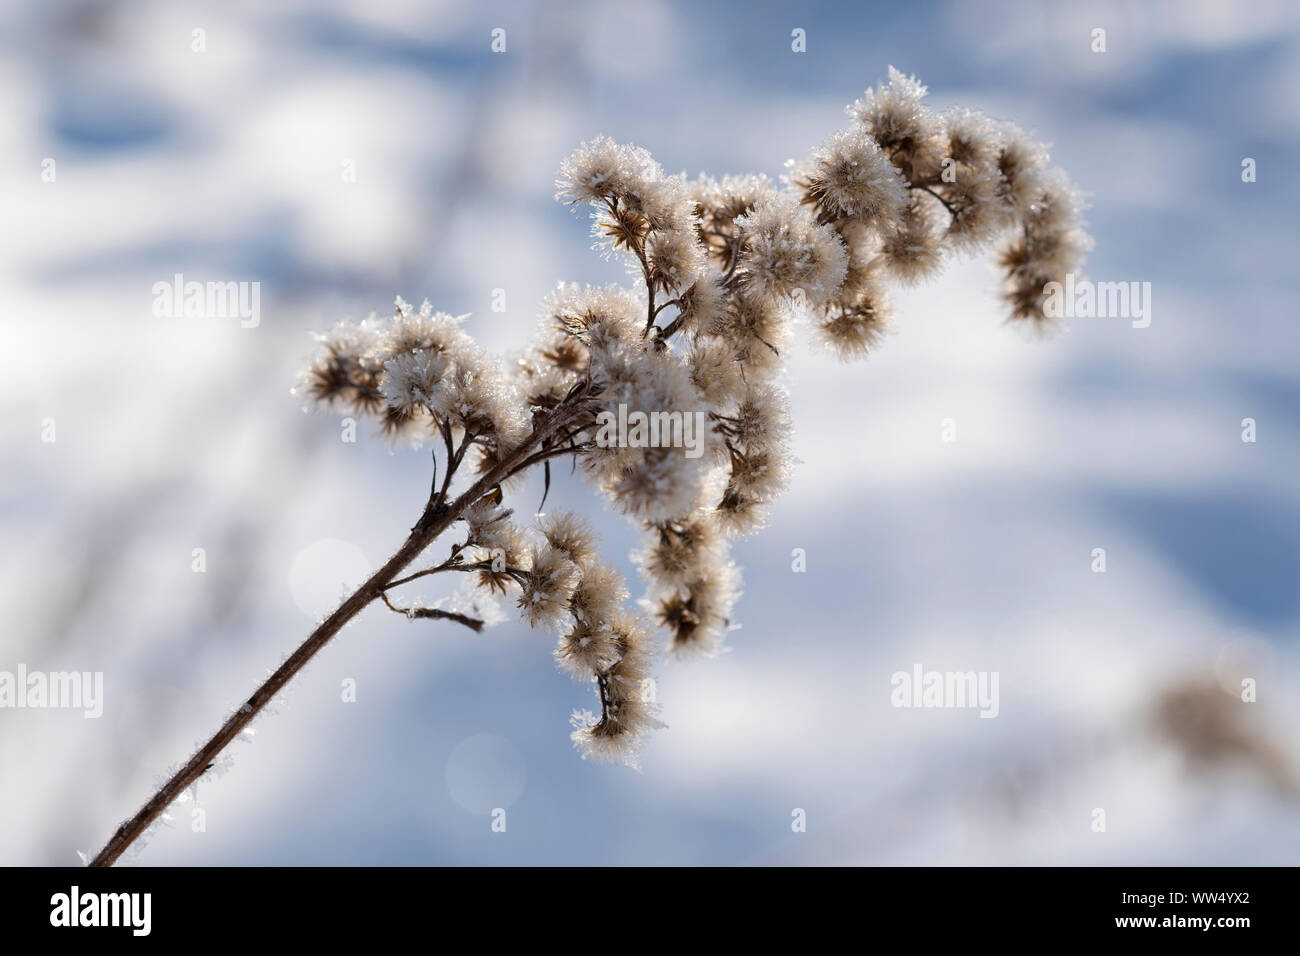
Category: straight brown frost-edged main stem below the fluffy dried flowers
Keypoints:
(436, 520)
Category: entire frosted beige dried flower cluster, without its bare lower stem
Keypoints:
(721, 269)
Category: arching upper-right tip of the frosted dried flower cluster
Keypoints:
(904, 188)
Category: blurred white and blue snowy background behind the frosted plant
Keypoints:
(175, 435)
